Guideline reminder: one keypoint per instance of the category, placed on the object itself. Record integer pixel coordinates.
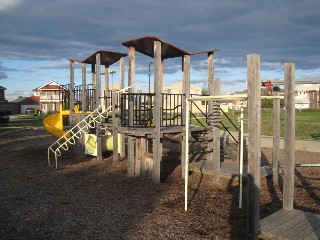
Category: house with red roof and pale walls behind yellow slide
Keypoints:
(48, 96)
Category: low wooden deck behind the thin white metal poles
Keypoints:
(227, 170)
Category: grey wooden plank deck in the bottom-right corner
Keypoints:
(290, 224)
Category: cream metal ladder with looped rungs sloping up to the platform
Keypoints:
(70, 137)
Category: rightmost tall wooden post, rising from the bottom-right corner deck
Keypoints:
(290, 118)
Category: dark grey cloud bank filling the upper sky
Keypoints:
(62, 29)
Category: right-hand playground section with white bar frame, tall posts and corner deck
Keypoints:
(287, 223)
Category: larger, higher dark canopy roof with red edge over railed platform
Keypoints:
(145, 45)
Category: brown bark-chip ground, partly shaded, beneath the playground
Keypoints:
(90, 199)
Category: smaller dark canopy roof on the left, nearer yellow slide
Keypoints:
(107, 57)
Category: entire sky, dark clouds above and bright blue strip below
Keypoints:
(38, 36)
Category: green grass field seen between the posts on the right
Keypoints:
(307, 123)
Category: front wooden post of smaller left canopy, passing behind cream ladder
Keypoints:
(98, 103)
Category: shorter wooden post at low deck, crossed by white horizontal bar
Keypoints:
(216, 133)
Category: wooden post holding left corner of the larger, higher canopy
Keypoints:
(131, 82)
